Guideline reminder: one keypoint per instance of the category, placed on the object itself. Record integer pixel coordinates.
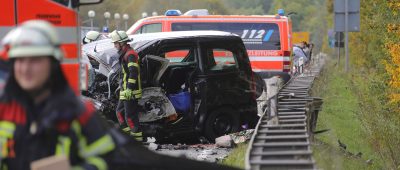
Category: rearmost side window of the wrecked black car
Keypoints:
(219, 59)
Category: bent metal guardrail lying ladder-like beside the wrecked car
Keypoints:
(283, 135)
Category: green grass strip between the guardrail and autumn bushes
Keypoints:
(341, 114)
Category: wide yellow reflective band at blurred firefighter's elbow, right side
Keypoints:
(101, 146)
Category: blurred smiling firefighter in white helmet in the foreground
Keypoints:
(40, 115)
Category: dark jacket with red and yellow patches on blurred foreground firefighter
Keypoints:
(61, 125)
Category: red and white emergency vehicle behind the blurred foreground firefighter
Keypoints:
(63, 15)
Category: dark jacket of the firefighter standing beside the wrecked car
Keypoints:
(129, 61)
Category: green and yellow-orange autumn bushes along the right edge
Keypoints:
(375, 54)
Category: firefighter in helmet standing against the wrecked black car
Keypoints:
(130, 84)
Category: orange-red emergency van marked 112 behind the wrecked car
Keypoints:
(267, 37)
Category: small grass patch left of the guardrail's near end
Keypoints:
(237, 156)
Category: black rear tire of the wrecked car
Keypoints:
(221, 122)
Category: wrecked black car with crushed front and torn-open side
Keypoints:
(194, 82)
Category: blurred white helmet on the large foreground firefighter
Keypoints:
(35, 38)
